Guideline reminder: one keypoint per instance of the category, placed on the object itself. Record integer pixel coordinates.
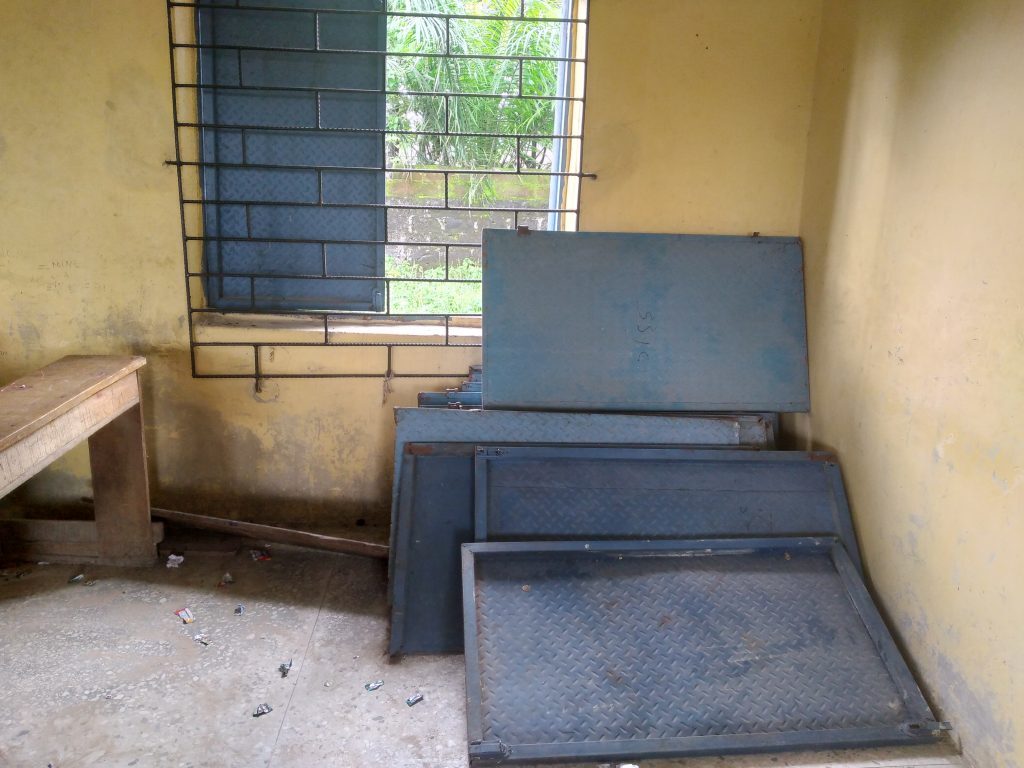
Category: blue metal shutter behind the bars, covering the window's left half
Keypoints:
(269, 87)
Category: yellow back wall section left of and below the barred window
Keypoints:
(91, 263)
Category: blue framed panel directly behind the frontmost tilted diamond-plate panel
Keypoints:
(551, 494)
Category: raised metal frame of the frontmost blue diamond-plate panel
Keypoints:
(913, 719)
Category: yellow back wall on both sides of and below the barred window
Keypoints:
(91, 253)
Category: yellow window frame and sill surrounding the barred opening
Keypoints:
(251, 332)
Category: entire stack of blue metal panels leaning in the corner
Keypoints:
(639, 584)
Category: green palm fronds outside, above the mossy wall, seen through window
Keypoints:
(506, 114)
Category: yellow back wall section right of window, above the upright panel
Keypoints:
(698, 114)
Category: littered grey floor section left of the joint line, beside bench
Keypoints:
(107, 675)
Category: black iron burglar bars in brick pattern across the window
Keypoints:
(248, 342)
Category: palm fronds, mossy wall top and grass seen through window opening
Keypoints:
(506, 110)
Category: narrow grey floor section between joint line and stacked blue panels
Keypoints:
(342, 723)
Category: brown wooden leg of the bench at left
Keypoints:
(121, 492)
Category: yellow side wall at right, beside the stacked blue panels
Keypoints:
(914, 226)
